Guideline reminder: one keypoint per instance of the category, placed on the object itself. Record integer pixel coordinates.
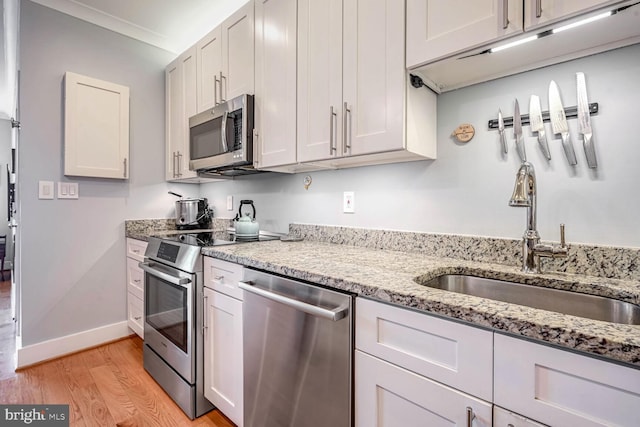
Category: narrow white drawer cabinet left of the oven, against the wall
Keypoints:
(135, 286)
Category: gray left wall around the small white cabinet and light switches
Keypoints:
(72, 251)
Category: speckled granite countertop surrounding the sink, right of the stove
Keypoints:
(389, 275)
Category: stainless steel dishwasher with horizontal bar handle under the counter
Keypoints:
(298, 353)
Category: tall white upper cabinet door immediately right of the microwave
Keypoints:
(275, 98)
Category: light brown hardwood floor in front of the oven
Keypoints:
(104, 386)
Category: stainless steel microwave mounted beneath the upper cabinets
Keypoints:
(222, 137)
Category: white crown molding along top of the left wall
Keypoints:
(110, 22)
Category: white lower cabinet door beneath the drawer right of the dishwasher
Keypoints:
(388, 396)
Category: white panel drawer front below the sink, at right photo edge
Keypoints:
(561, 388)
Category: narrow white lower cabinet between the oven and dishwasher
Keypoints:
(223, 373)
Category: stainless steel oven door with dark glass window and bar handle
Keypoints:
(169, 326)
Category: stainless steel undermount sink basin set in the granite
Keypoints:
(566, 302)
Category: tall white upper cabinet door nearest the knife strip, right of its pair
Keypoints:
(373, 75)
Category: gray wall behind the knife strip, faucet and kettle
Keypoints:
(466, 190)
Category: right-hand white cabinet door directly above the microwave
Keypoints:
(237, 53)
